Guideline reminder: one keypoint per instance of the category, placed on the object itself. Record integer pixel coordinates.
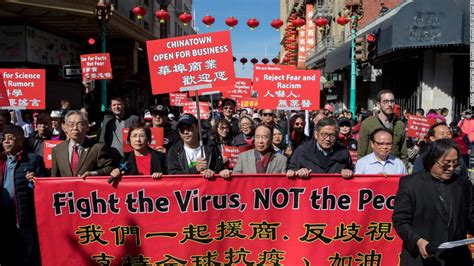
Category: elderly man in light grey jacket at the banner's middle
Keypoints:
(262, 159)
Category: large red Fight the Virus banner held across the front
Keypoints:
(262, 219)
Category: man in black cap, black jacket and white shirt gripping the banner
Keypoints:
(187, 157)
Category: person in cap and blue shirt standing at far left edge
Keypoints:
(18, 170)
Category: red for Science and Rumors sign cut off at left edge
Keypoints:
(26, 88)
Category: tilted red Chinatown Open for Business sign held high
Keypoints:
(191, 62)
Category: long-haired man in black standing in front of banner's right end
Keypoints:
(434, 206)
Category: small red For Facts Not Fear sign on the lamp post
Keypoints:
(96, 66)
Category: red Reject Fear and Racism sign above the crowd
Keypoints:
(286, 88)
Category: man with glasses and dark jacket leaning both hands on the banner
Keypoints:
(323, 154)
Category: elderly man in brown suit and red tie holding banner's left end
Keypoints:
(80, 156)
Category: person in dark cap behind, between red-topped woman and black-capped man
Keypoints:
(170, 136)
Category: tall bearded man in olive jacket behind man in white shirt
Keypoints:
(385, 119)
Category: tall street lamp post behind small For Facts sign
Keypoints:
(103, 12)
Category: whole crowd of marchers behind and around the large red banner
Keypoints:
(298, 144)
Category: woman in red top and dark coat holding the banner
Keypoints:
(142, 160)
